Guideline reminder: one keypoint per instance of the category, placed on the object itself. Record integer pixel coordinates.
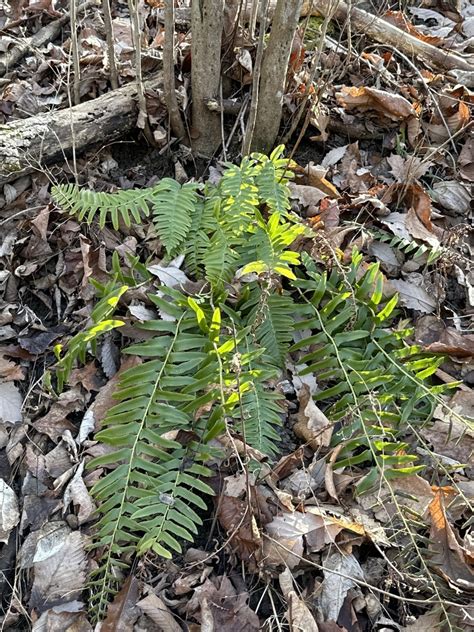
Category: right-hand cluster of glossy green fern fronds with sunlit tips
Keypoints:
(371, 397)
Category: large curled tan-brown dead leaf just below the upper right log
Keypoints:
(393, 106)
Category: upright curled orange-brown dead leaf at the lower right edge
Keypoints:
(447, 556)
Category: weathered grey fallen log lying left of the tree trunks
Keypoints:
(30, 144)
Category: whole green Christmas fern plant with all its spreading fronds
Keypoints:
(209, 365)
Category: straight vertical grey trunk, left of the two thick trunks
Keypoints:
(206, 26)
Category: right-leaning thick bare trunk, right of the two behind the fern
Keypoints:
(273, 76)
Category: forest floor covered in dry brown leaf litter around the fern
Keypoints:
(386, 166)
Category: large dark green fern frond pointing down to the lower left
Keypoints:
(151, 496)
